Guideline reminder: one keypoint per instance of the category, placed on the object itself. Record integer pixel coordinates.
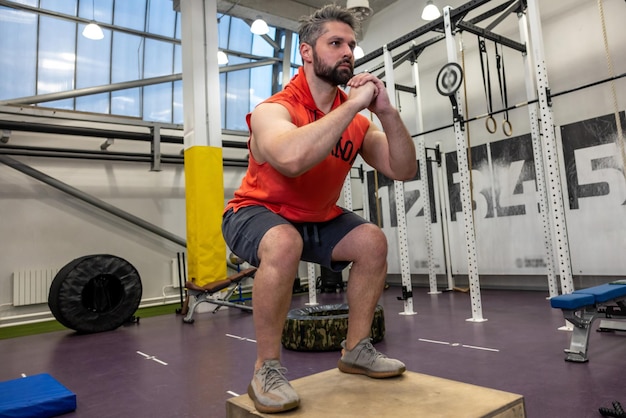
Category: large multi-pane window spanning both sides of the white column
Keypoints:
(44, 53)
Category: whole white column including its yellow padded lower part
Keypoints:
(204, 176)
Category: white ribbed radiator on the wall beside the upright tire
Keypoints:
(31, 286)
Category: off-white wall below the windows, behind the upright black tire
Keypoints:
(43, 227)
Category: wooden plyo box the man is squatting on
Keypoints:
(333, 394)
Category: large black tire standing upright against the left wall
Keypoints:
(95, 293)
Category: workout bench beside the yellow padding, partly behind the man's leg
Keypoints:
(198, 294)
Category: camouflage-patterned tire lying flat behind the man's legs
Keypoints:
(324, 327)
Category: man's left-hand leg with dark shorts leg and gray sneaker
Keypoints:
(273, 245)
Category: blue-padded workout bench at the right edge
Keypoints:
(584, 306)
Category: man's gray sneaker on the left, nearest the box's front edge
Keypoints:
(270, 390)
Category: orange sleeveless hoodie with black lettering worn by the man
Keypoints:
(312, 196)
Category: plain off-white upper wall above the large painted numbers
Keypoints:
(574, 54)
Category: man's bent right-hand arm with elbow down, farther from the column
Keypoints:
(390, 151)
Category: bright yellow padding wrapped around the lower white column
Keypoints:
(204, 185)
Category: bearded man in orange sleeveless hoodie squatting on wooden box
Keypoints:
(303, 142)
